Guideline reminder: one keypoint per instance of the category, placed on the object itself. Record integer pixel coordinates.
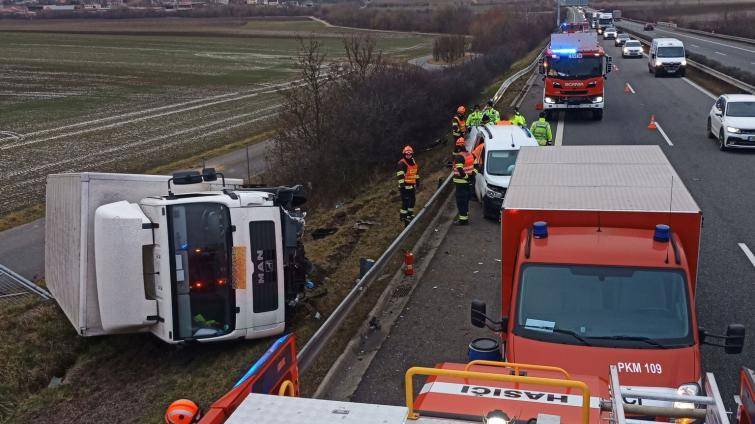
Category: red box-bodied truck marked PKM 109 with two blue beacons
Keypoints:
(600, 256)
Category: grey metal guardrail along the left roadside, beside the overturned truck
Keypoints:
(319, 340)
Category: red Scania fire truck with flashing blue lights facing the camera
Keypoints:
(575, 68)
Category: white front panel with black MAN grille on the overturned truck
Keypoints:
(258, 234)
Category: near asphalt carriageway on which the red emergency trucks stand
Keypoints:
(719, 182)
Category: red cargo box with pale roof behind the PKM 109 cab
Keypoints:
(594, 186)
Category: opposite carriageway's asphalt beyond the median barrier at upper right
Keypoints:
(727, 52)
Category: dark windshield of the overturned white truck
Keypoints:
(200, 248)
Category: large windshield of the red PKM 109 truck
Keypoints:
(600, 302)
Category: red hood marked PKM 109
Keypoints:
(662, 368)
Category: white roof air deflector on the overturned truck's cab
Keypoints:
(121, 230)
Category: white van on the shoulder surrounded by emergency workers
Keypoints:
(502, 143)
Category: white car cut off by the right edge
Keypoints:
(732, 121)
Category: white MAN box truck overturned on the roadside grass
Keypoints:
(203, 261)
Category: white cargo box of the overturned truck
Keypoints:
(72, 200)
